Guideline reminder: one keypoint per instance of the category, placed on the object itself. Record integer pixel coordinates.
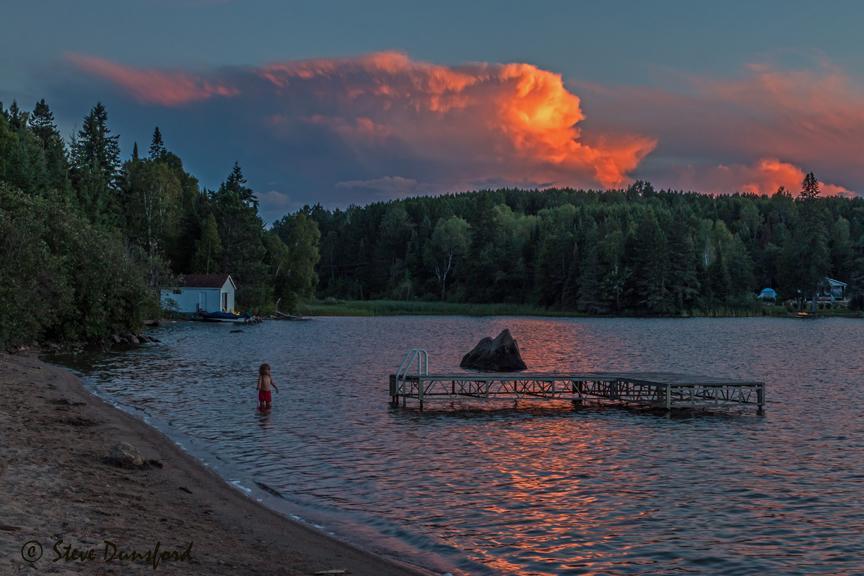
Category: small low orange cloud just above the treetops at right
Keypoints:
(762, 177)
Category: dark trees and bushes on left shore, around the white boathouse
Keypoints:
(86, 240)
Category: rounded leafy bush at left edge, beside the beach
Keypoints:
(63, 278)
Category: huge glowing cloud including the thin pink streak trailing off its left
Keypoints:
(472, 123)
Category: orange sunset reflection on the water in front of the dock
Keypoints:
(542, 507)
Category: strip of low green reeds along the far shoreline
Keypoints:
(332, 307)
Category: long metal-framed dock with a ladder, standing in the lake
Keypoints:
(666, 390)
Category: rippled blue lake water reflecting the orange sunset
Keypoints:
(531, 491)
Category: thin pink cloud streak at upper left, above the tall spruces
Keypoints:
(152, 86)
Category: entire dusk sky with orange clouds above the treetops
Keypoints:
(348, 103)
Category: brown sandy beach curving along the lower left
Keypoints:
(61, 499)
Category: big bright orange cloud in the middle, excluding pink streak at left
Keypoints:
(516, 121)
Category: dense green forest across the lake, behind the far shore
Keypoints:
(628, 251)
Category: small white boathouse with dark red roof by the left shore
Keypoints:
(204, 292)
